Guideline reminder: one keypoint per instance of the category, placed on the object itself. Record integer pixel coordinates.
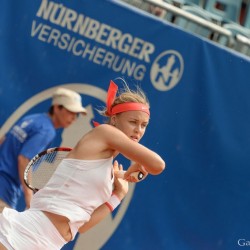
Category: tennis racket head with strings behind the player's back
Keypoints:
(42, 166)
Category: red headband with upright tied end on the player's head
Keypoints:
(123, 107)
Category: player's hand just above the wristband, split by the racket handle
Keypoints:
(120, 185)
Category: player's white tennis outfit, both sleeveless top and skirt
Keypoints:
(75, 190)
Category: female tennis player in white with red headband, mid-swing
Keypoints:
(80, 194)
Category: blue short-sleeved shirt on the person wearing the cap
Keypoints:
(29, 136)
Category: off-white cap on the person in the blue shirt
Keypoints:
(69, 99)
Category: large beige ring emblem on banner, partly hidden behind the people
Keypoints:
(95, 238)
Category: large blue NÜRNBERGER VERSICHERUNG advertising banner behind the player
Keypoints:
(199, 96)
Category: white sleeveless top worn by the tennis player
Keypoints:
(76, 189)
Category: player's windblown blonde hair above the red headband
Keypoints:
(125, 95)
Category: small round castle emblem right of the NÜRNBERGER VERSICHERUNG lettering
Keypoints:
(167, 70)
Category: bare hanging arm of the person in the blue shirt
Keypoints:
(28, 193)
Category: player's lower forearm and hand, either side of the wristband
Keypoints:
(120, 190)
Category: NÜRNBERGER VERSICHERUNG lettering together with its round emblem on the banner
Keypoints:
(104, 45)
